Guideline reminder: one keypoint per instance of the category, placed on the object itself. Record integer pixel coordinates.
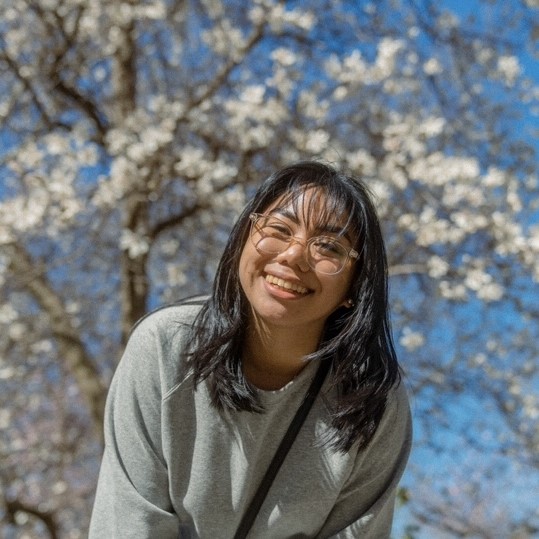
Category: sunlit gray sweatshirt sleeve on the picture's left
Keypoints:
(132, 499)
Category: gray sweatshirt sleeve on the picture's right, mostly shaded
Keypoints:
(365, 505)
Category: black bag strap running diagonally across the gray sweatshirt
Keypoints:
(282, 450)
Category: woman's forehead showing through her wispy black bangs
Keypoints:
(312, 208)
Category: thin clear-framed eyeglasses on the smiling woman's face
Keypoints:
(324, 254)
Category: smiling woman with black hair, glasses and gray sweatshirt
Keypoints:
(207, 388)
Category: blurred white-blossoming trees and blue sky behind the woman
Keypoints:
(132, 133)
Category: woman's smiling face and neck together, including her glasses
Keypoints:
(284, 255)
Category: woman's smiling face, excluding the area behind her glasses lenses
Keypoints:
(282, 289)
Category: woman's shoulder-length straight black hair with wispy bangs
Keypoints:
(357, 341)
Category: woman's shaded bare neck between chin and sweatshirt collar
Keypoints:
(272, 357)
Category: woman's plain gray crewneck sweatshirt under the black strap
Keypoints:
(174, 466)
